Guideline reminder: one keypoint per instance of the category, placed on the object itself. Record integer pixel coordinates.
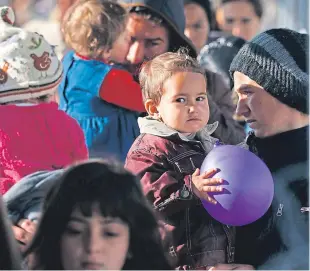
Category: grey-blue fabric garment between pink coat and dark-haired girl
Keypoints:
(25, 198)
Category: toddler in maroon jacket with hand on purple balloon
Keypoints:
(174, 141)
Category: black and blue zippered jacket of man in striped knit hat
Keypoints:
(280, 239)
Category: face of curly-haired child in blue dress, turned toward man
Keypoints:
(120, 48)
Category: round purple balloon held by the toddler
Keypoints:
(248, 187)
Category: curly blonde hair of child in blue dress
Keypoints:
(90, 26)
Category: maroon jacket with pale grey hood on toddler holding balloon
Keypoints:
(165, 161)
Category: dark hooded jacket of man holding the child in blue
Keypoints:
(219, 95)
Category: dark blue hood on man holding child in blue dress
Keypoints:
(172, 11)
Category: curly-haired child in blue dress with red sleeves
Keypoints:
(95, 90)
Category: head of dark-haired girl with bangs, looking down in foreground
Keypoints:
(96, 217)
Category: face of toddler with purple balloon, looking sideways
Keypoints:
(184, 104)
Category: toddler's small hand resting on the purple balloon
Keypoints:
(204, 183)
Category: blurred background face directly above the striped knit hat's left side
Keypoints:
(241, 18)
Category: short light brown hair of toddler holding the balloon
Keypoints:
(155, 72)
